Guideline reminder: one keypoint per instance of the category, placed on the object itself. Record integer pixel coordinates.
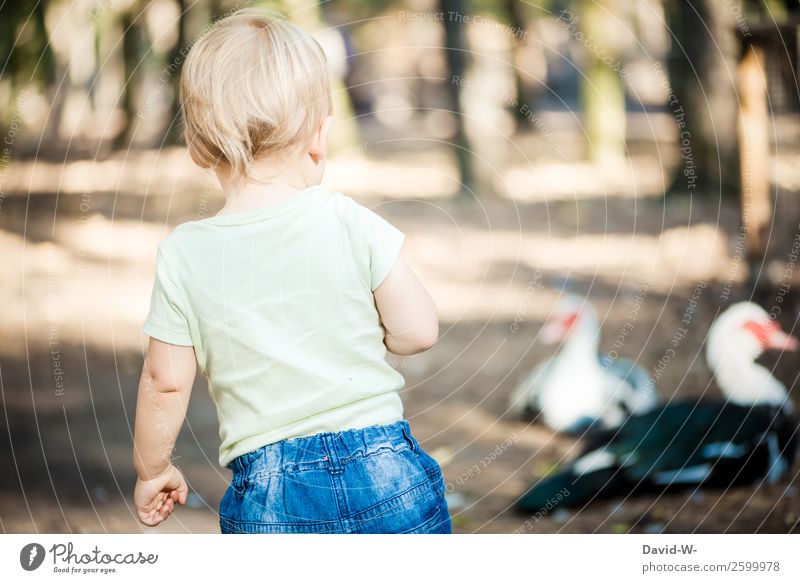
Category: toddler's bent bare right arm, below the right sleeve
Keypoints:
(407, 311)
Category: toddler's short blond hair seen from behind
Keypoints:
(252, 85)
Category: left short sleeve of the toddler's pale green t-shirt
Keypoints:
(166, 320)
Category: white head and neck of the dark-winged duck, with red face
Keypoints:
(736, 339)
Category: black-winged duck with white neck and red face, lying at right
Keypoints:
(748, 437)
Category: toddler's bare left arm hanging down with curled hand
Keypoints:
(164, 391)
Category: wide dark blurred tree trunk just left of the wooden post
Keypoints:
(702, 69)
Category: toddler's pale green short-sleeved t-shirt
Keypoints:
(278, 305)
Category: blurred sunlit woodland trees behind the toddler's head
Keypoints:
(101, 75)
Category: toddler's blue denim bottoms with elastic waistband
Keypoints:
(372, 480)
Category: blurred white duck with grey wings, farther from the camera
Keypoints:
(577, 388)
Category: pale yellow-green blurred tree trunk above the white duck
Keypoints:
(601, 90)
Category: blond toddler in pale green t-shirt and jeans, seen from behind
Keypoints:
(287, 299)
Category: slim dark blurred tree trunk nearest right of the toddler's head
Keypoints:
(455, 52)
